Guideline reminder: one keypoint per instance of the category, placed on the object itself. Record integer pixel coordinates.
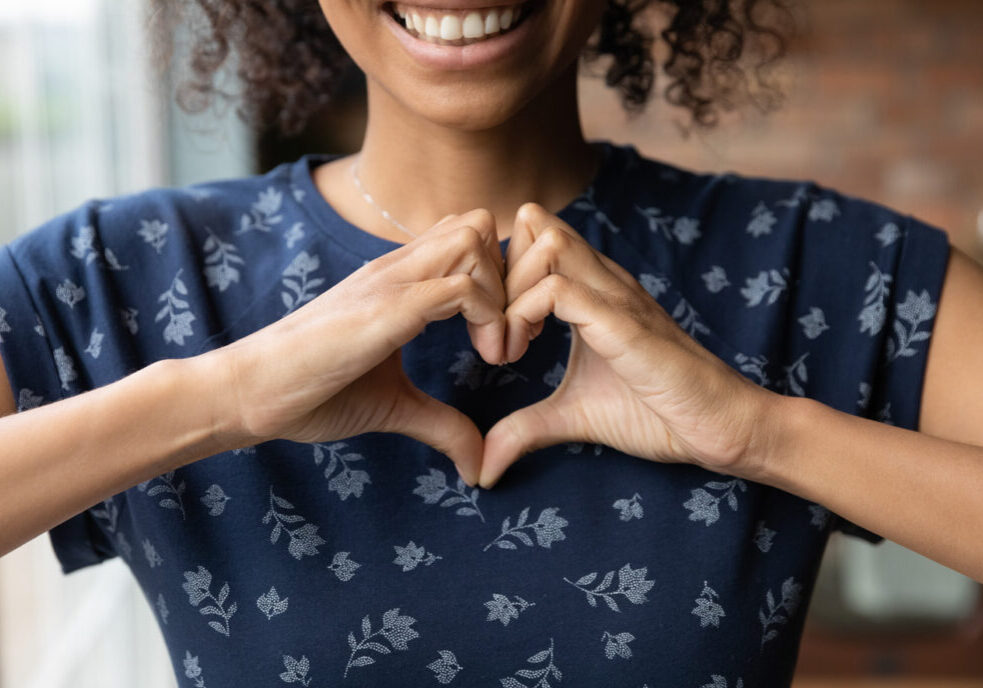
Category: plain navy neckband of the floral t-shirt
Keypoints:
(367, 245)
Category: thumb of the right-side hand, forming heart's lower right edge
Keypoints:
(539, 425)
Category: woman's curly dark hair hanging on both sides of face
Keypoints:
(289, 63)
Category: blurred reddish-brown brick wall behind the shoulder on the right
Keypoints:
(884, 101)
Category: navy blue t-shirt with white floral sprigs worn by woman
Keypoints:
(365, 562)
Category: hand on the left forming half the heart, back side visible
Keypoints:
(333, 369)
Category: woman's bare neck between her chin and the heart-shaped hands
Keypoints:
(539, 154)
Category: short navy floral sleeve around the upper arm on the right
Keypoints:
(920, 259)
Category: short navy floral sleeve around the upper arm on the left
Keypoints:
(40, 360)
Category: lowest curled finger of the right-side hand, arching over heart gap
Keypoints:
(602, 324)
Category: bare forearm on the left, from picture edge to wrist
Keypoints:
(59, 459)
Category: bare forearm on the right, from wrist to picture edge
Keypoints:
(920, 491)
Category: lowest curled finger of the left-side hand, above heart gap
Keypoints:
(442, 297)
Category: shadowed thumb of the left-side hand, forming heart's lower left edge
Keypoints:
(428, 420)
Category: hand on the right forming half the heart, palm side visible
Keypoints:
(635, 381)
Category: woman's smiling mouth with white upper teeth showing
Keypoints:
(458, 27)
